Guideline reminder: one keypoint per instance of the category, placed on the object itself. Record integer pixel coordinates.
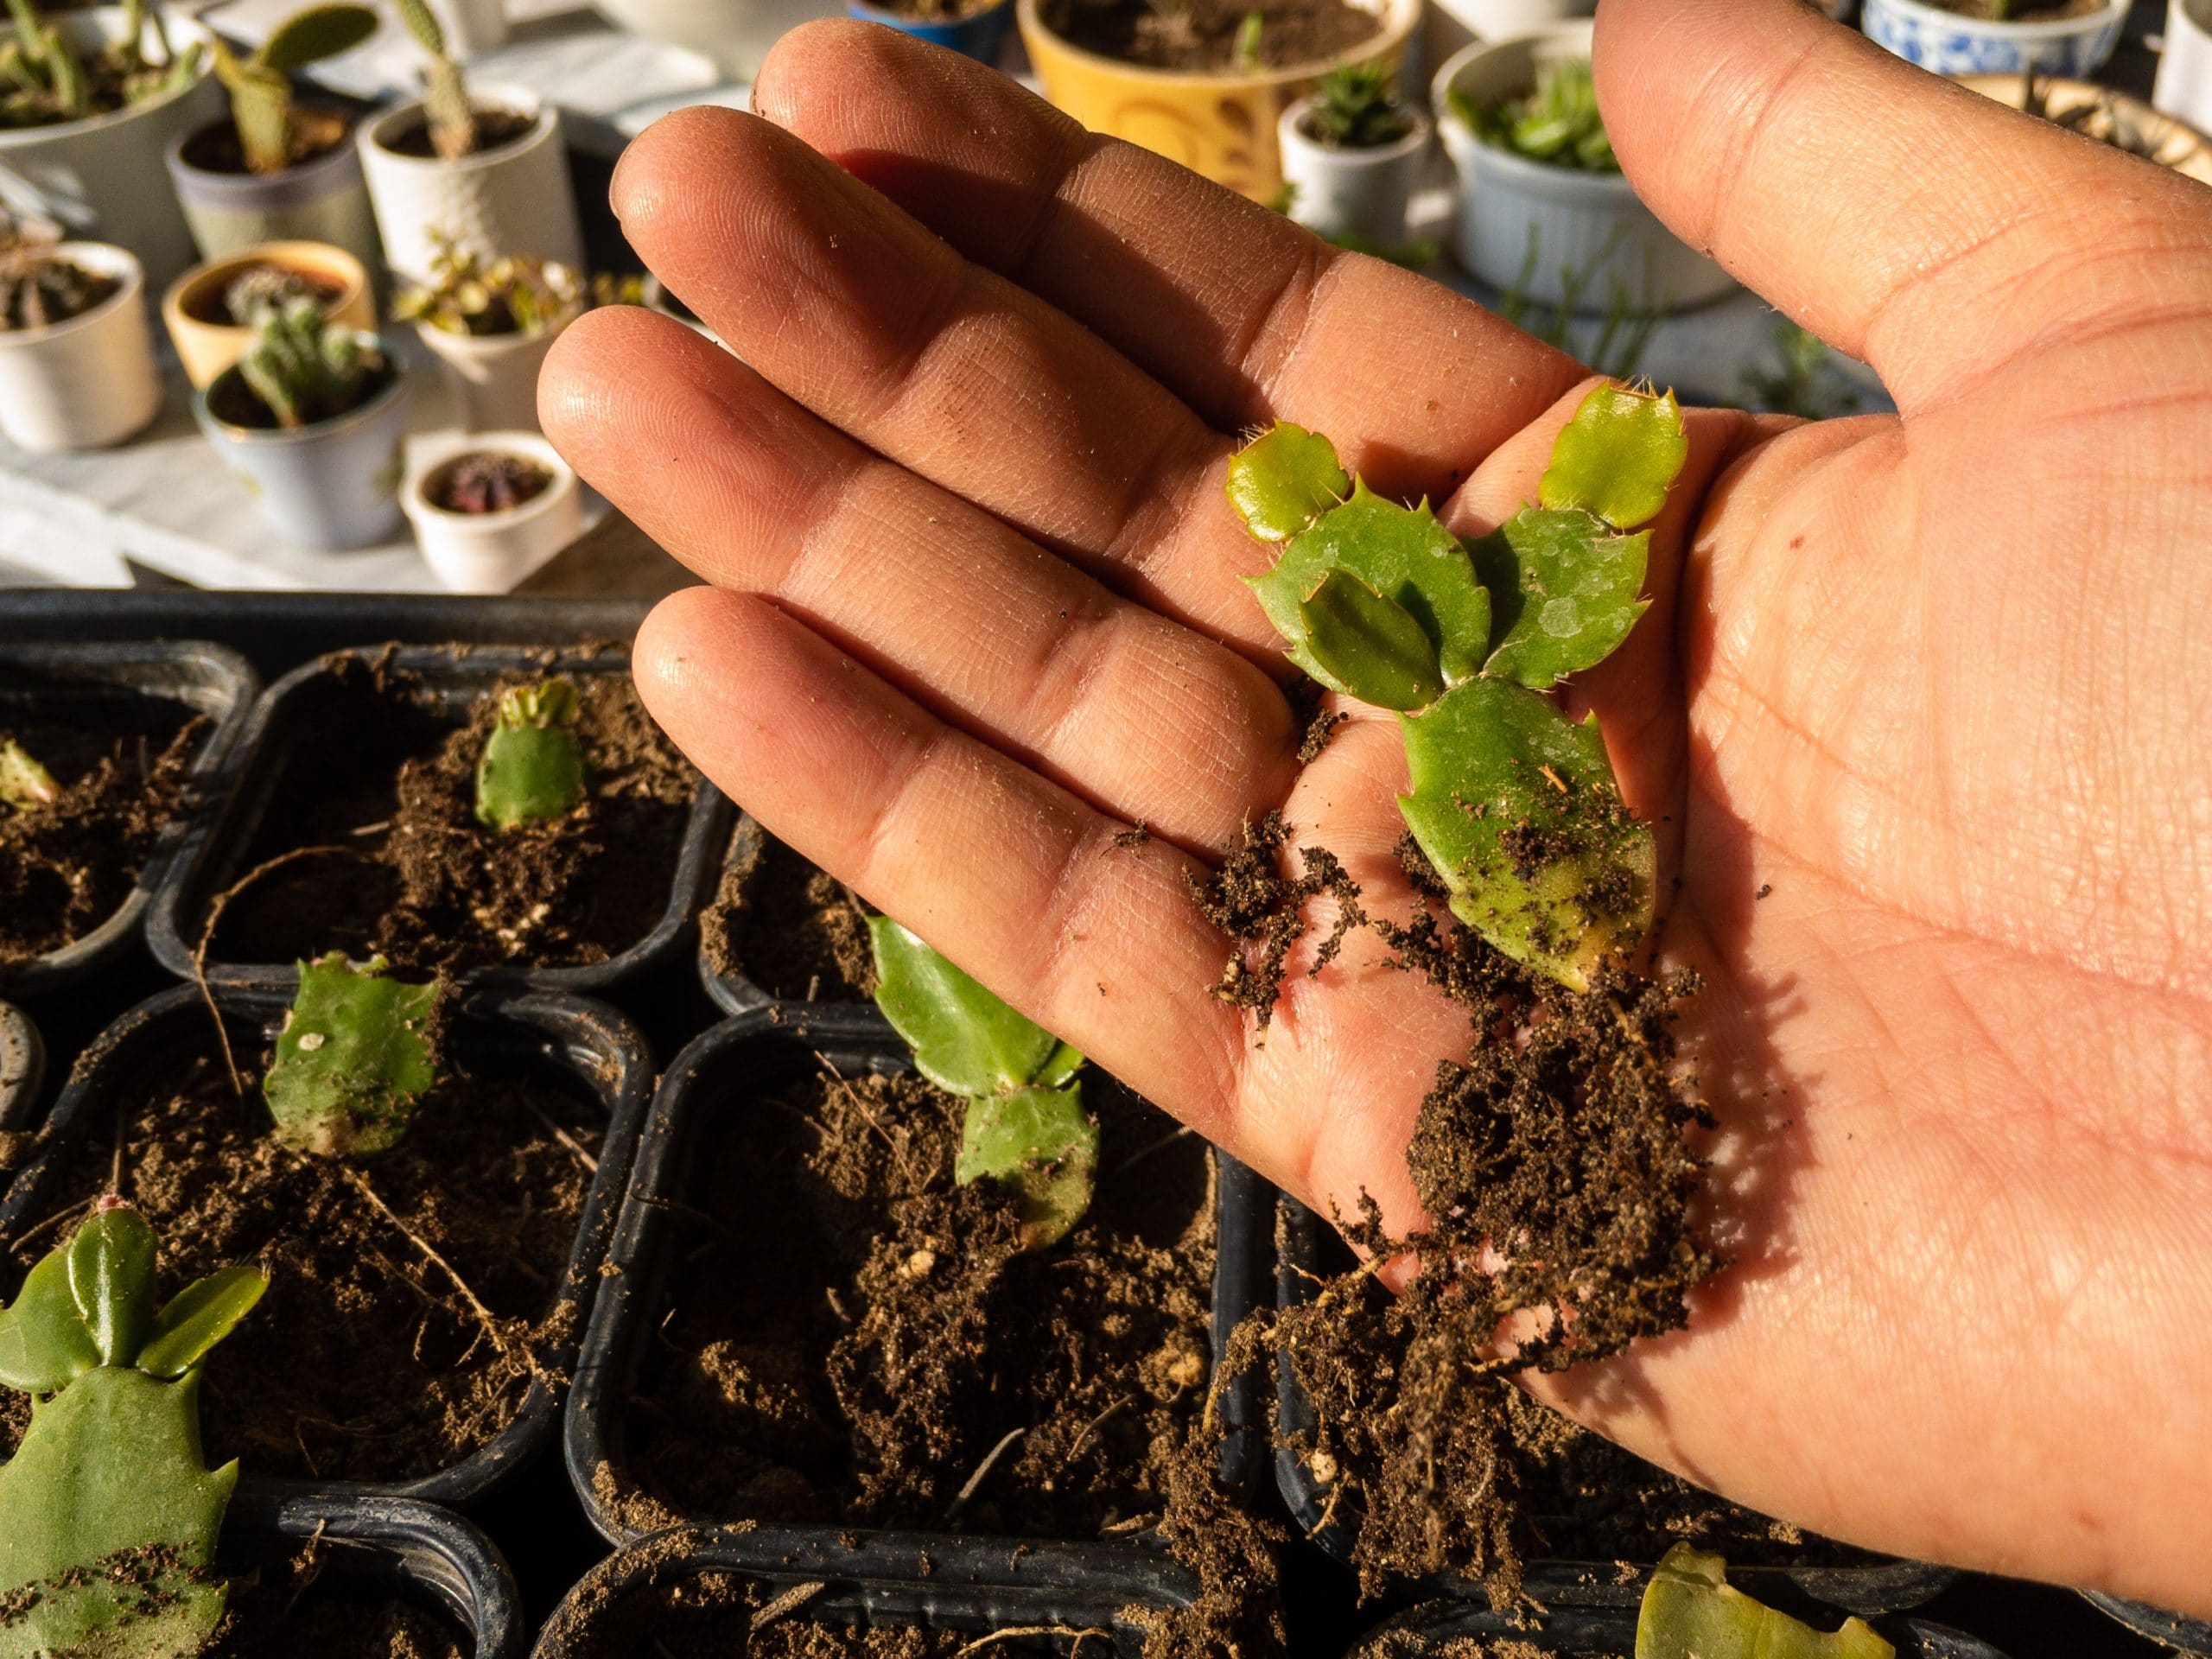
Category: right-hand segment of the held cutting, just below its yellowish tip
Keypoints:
(1565, 589)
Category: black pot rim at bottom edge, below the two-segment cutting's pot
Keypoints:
(979, 1585)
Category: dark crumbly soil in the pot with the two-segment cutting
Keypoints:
(864, 1342)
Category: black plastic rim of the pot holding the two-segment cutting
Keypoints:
(724, 1087)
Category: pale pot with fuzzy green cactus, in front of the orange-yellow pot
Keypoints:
(328, 486)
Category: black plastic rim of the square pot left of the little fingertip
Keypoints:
(452, 680)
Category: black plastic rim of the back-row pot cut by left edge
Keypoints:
(209, 680)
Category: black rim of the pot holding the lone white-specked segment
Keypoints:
(592, 1045)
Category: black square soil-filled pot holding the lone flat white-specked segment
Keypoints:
(563, 1058)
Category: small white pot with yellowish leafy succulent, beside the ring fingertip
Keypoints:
(492, 320)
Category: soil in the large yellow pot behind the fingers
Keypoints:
(1207, 34)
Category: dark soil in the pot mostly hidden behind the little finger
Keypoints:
(791, 928)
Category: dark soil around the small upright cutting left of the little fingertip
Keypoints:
(373, 846)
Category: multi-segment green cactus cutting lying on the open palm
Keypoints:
(1514, 804)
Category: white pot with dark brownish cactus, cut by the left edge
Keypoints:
(92, 382)
